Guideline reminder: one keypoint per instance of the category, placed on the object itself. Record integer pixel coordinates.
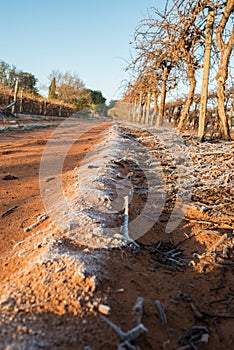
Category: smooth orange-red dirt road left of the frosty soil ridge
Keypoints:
(20, 156)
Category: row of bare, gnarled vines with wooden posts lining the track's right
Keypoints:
(172, 48)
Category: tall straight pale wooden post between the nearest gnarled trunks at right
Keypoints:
(205, 78)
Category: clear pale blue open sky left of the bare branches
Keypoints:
(88, 37)
